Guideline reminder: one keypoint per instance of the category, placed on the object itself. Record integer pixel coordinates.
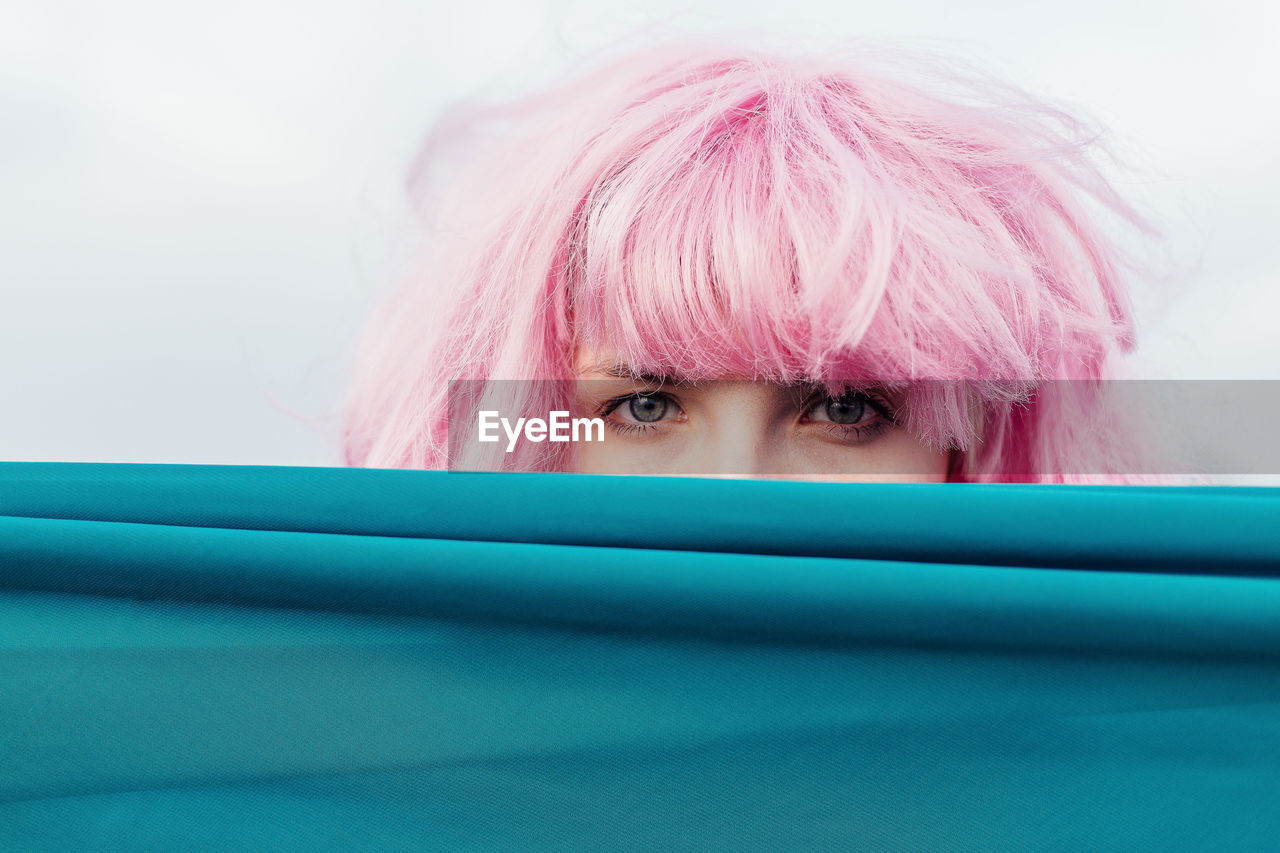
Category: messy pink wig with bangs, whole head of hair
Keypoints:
(706, 212)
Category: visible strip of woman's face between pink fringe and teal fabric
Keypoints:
(746, 428)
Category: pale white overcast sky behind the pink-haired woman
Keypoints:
(200, 202)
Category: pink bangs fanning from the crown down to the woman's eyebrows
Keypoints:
(775, 236)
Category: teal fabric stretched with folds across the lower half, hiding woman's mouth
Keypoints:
(304, 659)
